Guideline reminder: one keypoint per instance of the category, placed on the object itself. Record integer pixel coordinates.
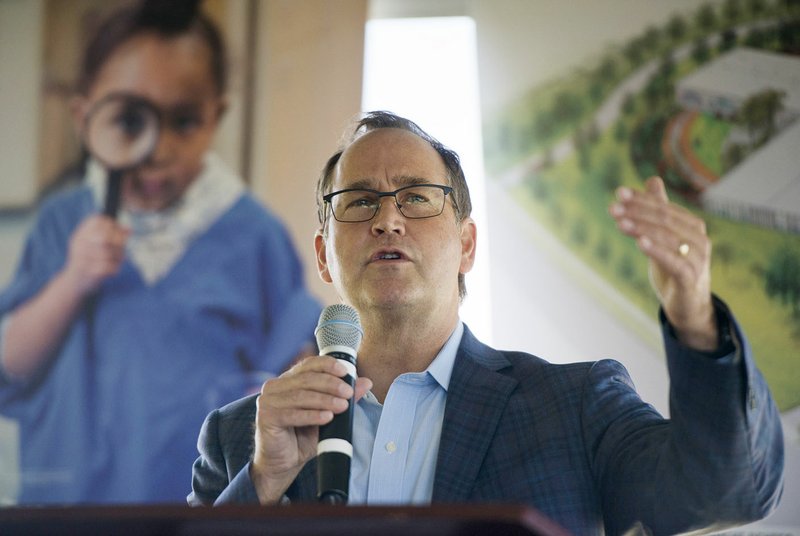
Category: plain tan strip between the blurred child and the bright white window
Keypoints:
(308, 71)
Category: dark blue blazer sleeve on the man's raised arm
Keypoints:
(718, 460)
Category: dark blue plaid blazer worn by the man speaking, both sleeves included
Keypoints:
(574, 441)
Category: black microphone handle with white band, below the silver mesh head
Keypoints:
(335, 447)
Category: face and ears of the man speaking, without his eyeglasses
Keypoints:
(391, 261)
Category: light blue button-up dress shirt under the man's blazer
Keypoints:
(395, 444)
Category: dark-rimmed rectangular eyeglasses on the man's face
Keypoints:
(361, 204)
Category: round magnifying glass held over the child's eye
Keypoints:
(121, 132)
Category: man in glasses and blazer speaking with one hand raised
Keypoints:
(441, 417)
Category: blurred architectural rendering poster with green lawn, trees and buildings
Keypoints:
(706, 95)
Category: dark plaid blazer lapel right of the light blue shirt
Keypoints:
(476, 398)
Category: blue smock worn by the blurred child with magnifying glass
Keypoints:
(114, 418)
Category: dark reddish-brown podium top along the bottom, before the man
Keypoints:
(295, 520)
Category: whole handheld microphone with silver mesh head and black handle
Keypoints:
(338, 335)
